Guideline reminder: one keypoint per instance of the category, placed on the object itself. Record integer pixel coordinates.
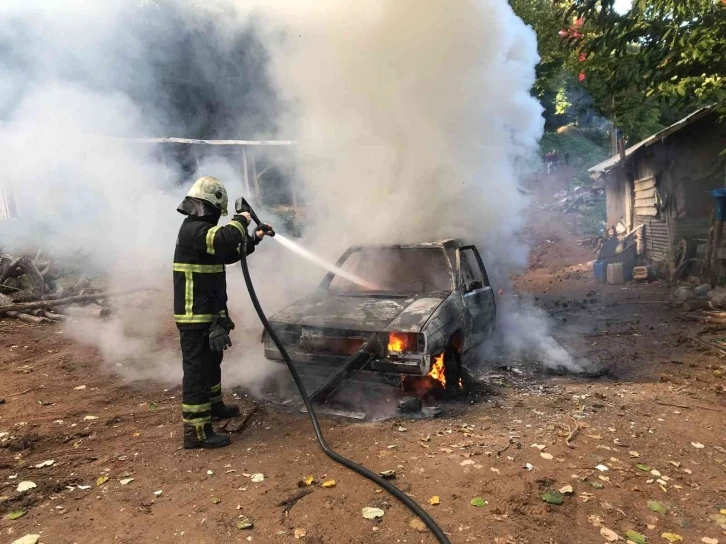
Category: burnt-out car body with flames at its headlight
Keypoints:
(429, 299)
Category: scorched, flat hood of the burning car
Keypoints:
(362, 313)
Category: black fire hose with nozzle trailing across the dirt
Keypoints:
(242, 205)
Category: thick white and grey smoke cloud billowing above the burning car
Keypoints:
(414, 122)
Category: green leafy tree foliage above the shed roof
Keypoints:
(671, 51)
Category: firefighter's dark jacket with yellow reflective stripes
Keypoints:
(200, 283)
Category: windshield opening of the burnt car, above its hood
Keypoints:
(395, 270)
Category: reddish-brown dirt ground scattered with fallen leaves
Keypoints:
(646, 450)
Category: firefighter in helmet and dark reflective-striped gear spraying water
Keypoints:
(200, 305)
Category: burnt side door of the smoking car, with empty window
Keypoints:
(477, 296)
